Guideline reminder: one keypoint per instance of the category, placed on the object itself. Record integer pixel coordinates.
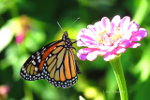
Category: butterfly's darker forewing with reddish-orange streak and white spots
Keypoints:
(32, 69)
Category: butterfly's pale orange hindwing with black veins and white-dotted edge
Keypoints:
(62, 68)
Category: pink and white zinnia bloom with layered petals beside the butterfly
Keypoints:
(109, 38)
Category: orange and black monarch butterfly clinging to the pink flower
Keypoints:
(54, 62)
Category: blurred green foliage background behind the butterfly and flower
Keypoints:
(36, 22)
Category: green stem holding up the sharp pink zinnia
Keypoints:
(118, 71)
